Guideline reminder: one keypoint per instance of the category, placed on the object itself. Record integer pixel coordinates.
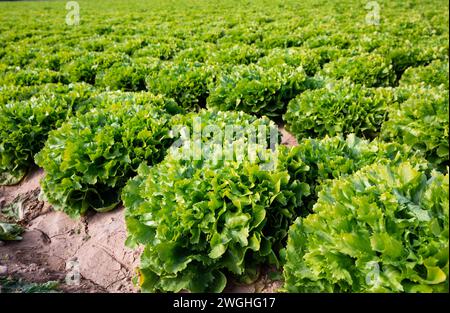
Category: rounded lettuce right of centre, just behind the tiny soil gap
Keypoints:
(340, 108)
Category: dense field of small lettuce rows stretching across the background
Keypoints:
(257, 64)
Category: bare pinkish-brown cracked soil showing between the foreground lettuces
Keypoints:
(84, 255)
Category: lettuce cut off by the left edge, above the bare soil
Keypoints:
(24, 126)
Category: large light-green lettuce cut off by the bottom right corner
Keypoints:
(383, 229)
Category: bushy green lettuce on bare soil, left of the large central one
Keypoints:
(90, 157)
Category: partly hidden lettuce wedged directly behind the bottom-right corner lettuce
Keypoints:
(335, 157)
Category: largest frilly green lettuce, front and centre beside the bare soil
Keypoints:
(204, 219)
